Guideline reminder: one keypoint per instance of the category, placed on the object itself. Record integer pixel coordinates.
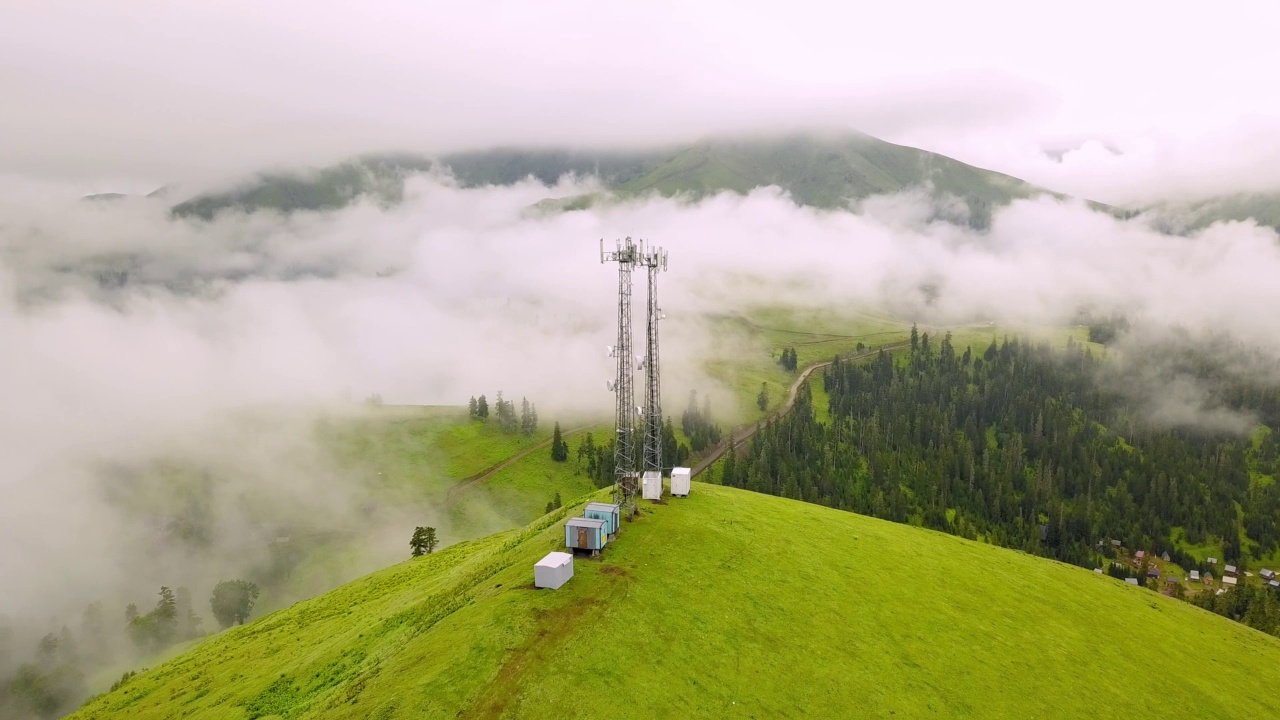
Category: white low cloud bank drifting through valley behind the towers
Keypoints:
(139, 336)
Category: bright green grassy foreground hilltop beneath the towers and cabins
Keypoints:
(724, 605)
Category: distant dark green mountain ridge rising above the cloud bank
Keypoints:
(822, 171)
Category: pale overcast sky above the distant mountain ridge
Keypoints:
(124, 95)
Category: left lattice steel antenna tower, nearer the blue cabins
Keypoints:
(627, 256)
